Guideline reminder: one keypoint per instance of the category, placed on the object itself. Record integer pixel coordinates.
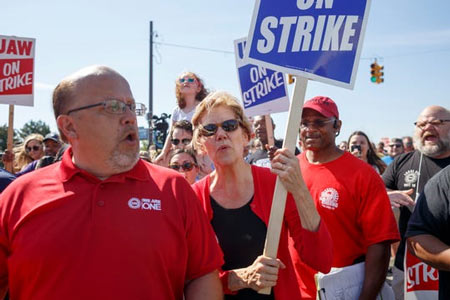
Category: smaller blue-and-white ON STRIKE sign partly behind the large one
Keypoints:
(263, 90)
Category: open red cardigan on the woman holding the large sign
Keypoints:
(314, 247)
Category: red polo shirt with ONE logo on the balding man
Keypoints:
(65, 234)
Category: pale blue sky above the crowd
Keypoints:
(410, 38)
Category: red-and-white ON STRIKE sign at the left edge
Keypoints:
(16, 70)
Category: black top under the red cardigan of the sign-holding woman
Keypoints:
(241, 236)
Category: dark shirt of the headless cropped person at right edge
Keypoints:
(432, 216)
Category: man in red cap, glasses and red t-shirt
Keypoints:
(350, 197)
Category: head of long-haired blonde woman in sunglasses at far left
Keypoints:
(31, 150)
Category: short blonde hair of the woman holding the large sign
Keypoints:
(214, 100)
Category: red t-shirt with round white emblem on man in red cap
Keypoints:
(352, 201)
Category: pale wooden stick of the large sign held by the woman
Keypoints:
(279, 196)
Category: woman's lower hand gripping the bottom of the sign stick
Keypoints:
(261, 274)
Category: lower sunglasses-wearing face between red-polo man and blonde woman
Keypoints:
(185, 162)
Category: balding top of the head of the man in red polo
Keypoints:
(65, 93)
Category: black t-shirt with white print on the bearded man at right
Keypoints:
(403, 174)
